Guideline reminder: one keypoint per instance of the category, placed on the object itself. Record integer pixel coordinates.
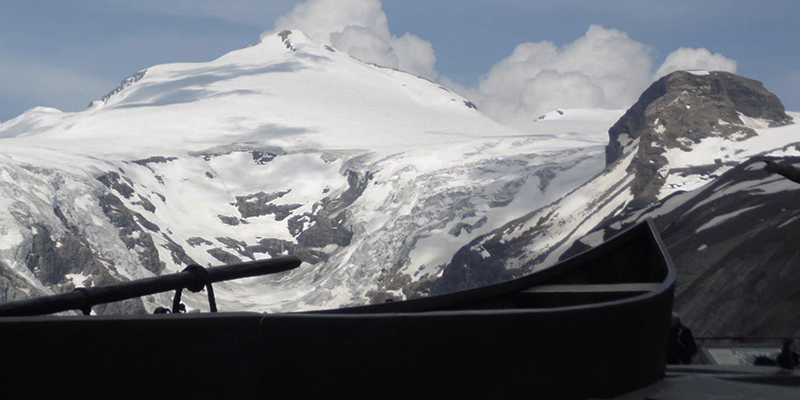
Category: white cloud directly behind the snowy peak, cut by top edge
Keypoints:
(360, 28)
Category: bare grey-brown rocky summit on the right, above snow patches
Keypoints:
(681, 109)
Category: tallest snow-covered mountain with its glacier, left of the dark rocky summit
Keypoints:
(372, 176)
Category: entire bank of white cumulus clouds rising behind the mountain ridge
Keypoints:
(604, 68)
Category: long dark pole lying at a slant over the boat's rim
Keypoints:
(91, 296)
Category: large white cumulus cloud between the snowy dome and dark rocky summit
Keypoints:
(604, 68)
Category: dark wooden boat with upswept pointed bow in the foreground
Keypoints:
(595, 325)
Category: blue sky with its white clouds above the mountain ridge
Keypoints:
(66, 53)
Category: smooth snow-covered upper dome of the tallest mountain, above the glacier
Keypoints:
(287, 90)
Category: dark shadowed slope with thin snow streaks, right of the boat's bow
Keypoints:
(738, 276)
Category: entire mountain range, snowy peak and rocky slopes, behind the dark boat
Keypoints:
(386, 185)
